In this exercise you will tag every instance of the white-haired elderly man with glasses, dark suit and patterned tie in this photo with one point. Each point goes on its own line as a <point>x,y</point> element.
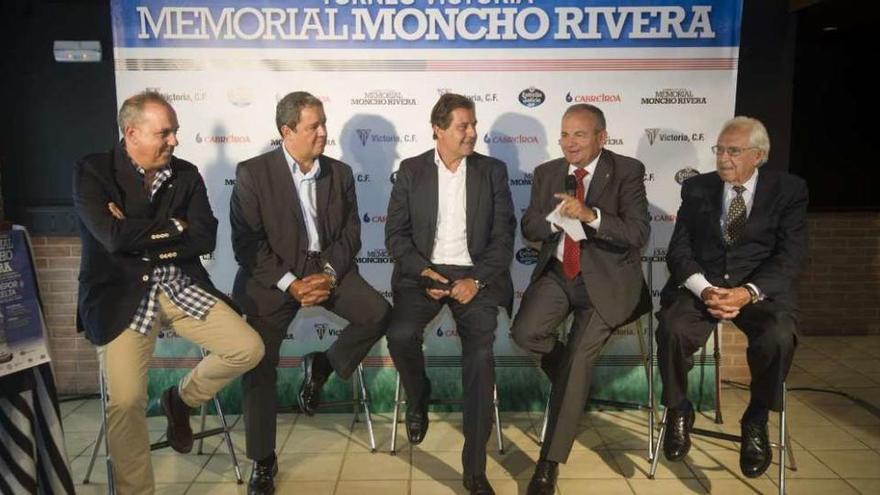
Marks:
<point>738,243</point>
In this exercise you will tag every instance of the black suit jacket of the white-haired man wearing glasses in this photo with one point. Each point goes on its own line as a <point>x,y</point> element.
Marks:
<point>768,253</point>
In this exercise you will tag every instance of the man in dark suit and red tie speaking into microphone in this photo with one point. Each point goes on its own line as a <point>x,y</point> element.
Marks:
<point>598,280</point>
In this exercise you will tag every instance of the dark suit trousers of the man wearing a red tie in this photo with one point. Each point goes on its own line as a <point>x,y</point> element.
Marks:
<point>545,305</point>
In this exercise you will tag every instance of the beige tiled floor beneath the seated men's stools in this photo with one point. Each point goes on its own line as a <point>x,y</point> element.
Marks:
<point>836,444</point>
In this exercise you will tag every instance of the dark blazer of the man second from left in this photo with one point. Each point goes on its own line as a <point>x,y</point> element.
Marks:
<point>269,234</point>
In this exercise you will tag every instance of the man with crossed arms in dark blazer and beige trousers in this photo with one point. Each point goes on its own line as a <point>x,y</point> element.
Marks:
<point>144,220</point>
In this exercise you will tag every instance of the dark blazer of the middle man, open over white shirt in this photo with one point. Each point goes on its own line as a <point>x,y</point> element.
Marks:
<point>412,223</point>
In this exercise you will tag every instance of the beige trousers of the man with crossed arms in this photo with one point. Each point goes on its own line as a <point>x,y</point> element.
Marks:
<point>234,348</point>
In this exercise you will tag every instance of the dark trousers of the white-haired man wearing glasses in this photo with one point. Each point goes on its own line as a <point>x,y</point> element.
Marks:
<point>685,325</point>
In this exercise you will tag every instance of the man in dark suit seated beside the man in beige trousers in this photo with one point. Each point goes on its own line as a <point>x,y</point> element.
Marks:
<point>295,233</point>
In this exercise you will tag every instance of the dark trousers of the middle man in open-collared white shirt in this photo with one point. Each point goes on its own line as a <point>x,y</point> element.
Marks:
<point>475,323</point>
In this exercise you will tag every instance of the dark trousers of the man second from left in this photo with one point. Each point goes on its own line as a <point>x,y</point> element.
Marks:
<point>355,300</point>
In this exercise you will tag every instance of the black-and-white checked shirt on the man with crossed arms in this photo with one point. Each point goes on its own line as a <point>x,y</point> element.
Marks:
<point>189,297</point>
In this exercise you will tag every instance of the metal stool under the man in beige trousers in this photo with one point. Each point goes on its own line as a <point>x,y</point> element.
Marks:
<point>224,430</point>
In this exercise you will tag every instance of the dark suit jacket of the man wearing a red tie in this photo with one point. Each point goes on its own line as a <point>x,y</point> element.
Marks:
<point>610,257</point>
